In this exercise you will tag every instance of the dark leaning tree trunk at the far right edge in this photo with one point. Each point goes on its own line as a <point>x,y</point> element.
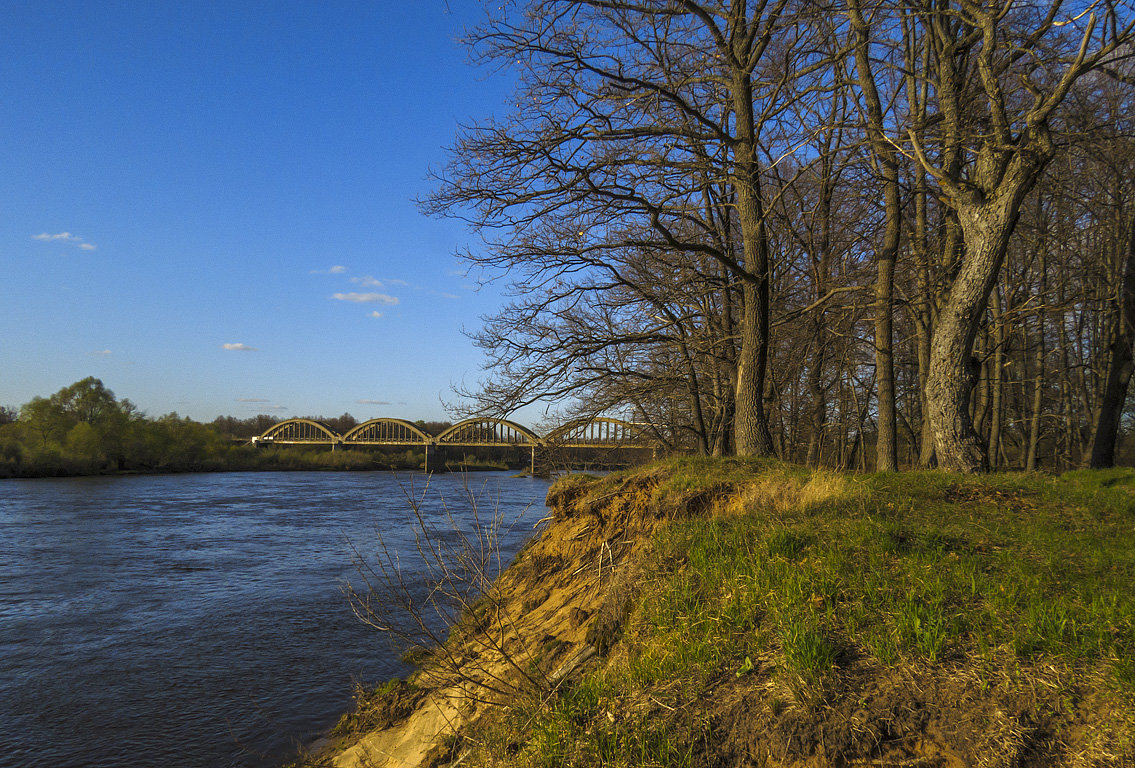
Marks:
<point>1121,366</point>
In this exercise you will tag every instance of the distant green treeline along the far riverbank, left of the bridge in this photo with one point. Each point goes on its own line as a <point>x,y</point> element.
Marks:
<point>85,429</point>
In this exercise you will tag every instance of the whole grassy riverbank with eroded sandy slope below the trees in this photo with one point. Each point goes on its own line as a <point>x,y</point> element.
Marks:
<point>705,613</point>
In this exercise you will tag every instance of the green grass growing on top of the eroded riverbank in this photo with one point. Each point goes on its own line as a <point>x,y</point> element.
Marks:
<point>809,575</point>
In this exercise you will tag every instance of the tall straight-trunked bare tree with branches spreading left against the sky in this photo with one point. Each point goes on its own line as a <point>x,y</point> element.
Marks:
<point>629,117</point>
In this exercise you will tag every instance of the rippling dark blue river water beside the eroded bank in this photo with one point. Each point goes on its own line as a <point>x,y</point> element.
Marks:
<point>200,620</point>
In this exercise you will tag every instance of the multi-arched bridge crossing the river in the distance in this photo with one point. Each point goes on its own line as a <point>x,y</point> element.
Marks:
<point>600,433</point>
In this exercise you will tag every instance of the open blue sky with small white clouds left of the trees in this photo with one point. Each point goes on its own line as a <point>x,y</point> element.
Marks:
<point>209,206</point>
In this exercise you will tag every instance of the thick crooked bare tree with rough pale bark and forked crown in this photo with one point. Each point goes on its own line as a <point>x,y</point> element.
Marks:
<point>999,74</point>
